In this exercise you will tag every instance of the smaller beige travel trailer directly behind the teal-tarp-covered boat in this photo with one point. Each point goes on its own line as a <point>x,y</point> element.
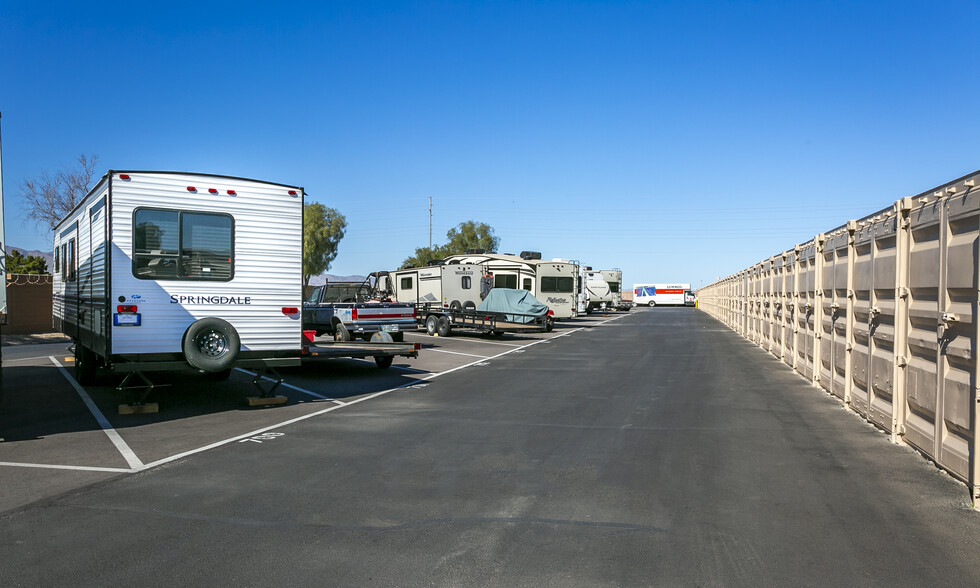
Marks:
<point>444,285</point>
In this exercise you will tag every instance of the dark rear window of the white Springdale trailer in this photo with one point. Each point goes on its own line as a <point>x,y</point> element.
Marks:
<point>182,245</point>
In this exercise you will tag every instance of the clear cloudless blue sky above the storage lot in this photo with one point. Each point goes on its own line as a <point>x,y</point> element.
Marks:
<point>679,141</point>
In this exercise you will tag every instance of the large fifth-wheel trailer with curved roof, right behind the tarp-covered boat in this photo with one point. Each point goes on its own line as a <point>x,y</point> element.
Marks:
<point>551,282</point>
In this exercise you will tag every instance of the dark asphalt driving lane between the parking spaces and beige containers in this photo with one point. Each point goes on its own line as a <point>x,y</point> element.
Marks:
<point>656,449</point>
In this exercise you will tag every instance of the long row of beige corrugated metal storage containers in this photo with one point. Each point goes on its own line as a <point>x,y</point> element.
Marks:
<point>881,312</point>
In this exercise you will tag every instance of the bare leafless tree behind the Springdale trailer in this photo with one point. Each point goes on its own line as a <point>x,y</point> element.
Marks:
<point>50,198</point>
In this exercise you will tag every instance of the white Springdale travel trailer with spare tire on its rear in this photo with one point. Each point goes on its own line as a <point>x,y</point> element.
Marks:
<point>164,270</point>
